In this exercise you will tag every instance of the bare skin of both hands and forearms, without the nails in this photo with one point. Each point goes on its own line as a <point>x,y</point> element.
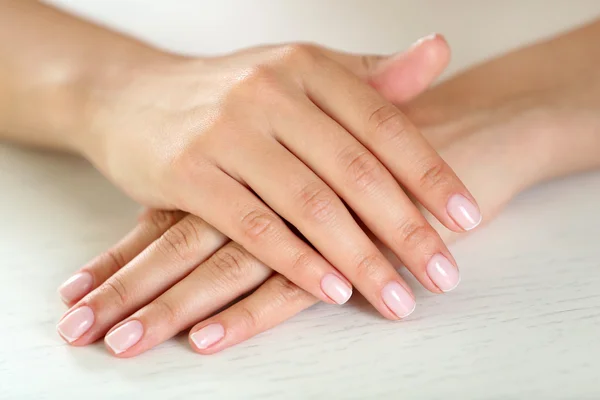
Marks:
<point>86,93</point>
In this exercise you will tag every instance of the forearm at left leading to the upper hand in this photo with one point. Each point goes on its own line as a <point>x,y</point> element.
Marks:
<point>48,62</point>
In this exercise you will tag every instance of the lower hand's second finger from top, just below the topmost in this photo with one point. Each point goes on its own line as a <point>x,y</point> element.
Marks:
<point>166,261</point>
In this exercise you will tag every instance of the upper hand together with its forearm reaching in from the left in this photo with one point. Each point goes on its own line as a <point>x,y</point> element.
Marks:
<point>247,142</point>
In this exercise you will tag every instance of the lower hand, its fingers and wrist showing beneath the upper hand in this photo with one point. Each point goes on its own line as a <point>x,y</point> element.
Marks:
<point>174,270</point>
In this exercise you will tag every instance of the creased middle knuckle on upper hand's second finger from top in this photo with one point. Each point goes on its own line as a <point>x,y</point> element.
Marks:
<point>362,168</point>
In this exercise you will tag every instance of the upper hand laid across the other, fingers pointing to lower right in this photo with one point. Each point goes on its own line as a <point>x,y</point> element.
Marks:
<point>286,133</point>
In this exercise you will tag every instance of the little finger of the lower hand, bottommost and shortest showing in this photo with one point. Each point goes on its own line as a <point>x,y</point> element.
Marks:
<point>275,301</point>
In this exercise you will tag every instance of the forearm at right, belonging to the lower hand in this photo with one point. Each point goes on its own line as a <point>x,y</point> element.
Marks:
<point>546,94</point>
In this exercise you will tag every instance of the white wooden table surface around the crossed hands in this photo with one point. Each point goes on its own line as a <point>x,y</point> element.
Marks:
<point>525,322</point>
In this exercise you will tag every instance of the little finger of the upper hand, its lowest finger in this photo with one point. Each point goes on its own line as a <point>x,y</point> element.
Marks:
<point>249,222</point>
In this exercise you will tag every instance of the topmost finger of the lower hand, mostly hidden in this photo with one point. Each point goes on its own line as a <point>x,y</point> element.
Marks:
<point>151,225</point>
